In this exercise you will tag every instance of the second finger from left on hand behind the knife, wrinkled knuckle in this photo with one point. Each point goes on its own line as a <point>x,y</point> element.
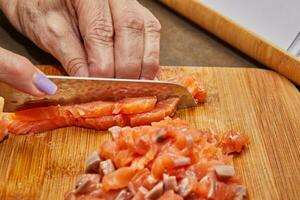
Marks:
<point>96,28</point>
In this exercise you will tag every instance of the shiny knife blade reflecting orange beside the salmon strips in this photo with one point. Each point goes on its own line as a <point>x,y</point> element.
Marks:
<point>73,90</point>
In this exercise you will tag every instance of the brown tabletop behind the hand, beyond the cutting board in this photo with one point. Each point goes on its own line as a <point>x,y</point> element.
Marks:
<point>182,43</point>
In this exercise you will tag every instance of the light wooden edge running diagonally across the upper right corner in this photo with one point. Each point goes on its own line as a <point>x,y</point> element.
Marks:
<point>245,40</point>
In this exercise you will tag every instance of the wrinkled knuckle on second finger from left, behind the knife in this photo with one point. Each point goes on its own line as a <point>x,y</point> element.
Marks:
<point>100,32</point>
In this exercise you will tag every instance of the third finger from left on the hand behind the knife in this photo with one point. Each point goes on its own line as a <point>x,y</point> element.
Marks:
<point>129,38</point>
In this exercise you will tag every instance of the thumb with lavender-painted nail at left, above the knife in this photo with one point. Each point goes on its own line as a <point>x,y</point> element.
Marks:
<point>21,74</point>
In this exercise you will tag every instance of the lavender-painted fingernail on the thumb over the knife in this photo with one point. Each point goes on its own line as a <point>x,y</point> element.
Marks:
<point>44,84</point>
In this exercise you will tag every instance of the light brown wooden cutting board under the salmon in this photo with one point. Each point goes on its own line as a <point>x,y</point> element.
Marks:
<point>260,103</point>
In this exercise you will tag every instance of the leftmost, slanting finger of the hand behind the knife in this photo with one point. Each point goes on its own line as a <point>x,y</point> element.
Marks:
<point>63,43</point>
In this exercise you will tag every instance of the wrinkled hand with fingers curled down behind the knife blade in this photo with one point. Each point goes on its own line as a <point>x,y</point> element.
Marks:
<point>103,38</point>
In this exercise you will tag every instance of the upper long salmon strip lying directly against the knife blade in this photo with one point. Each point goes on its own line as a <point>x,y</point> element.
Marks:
<point>89,110</point>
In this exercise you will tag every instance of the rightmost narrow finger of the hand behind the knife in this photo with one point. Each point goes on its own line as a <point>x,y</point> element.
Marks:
<point>150,64</point>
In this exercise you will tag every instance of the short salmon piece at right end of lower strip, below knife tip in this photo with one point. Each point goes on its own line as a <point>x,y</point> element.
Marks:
<point>163,109</point>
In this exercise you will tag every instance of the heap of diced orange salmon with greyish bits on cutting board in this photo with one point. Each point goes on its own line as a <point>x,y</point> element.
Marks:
<point>167,160</point>
